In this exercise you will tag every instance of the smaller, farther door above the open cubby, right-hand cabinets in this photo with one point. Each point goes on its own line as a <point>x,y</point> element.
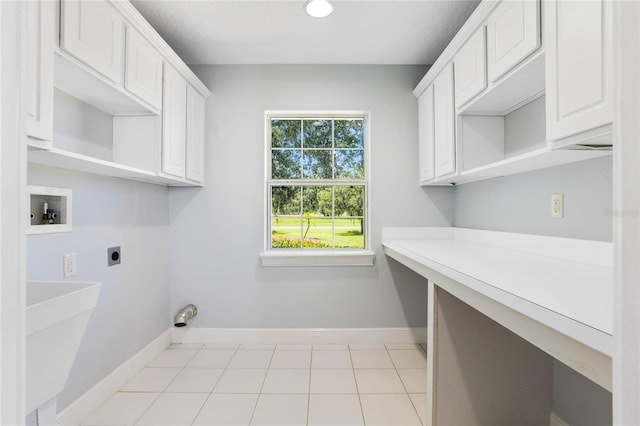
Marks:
<point>470,68</point>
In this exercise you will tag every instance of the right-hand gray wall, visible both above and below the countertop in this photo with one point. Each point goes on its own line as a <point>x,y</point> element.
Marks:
<point>522,203</point>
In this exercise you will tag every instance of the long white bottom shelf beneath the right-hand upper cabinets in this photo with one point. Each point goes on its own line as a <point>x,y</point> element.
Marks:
<point>535,160</point>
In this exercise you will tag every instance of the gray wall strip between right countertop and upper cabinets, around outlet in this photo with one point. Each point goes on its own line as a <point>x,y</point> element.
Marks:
<point>522,203</point>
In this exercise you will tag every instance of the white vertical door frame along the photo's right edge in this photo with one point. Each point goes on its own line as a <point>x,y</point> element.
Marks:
<point>626,204</point>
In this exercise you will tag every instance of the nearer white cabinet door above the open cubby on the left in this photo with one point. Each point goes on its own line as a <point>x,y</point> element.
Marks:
<point>93,32</point>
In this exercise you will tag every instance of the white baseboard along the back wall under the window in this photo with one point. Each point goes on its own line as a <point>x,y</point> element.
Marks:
<point>318,336</point>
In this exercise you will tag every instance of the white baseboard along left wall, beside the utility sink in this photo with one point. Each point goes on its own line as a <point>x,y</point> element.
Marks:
<point>88,402</point>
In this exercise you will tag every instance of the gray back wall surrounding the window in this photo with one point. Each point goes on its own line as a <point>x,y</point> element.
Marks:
<point>217,232</point>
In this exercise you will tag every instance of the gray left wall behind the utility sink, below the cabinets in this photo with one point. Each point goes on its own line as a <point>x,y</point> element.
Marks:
<point>133,306</point>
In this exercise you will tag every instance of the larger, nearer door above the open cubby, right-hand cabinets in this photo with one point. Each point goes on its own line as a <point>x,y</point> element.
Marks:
<point>513,33</point>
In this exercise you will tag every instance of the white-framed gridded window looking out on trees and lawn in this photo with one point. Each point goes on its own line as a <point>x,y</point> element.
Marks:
<point>316,182</point>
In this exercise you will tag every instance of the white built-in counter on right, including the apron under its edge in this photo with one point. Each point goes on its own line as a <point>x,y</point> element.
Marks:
<point>562,286</point>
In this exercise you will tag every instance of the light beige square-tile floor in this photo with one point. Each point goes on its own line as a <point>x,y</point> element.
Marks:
<point>228,385</point>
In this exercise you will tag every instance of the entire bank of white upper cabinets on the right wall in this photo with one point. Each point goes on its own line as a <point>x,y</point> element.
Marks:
<point>492,118</point>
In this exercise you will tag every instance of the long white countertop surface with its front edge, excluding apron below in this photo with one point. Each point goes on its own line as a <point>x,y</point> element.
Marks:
<point>566,284</point>
